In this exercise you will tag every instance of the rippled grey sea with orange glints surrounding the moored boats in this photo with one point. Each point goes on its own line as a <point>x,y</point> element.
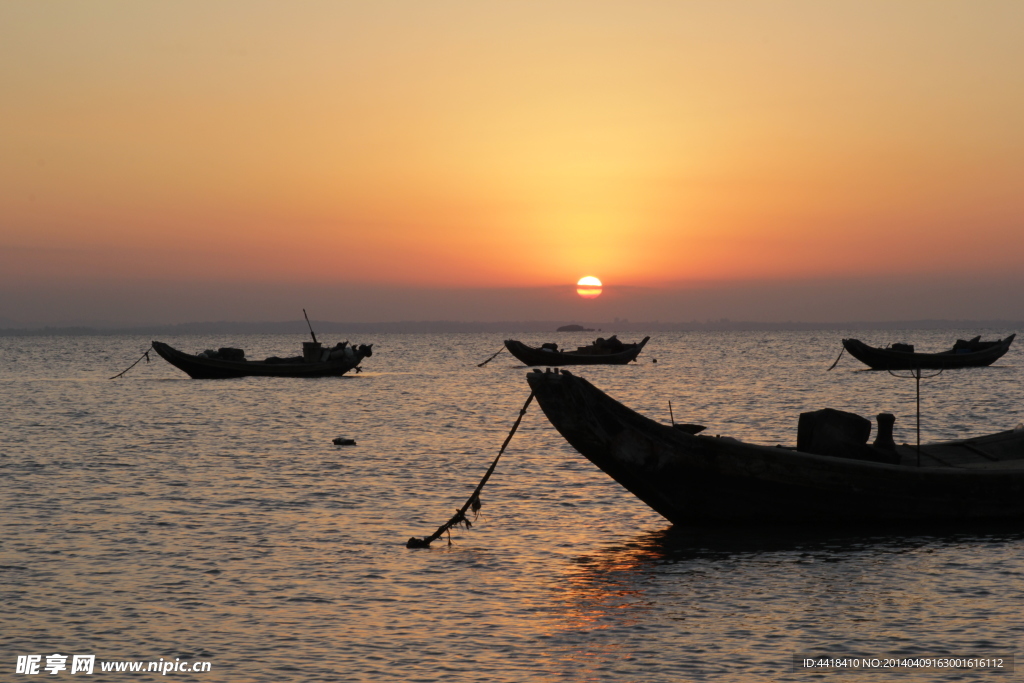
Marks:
<point>157,517</point>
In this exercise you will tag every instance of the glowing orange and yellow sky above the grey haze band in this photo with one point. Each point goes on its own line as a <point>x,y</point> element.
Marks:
<point>514,145</point>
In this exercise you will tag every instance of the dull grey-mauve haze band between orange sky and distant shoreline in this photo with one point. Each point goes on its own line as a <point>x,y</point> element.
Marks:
<point>822,303</point>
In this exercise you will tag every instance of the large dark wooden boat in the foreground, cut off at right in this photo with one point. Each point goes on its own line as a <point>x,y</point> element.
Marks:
<point>689,478</point>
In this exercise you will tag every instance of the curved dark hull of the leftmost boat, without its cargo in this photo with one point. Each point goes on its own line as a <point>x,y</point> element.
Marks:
<point>216,369</point>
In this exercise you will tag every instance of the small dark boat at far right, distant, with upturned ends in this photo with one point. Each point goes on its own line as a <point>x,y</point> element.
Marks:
<point>973,354</point>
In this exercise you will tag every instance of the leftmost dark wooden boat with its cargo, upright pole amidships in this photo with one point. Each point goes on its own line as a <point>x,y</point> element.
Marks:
<point>227,363</point>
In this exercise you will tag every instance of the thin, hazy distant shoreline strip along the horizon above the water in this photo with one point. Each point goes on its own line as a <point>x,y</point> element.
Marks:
<point>550,327</point>
